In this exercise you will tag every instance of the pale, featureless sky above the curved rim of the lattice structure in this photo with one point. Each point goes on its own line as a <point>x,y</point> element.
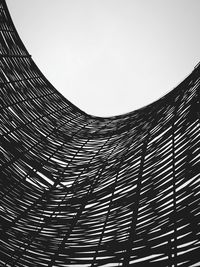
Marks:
<point>111,56</point>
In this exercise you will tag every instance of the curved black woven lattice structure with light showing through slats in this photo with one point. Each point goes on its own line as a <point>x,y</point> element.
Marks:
<point>79,190</point>
